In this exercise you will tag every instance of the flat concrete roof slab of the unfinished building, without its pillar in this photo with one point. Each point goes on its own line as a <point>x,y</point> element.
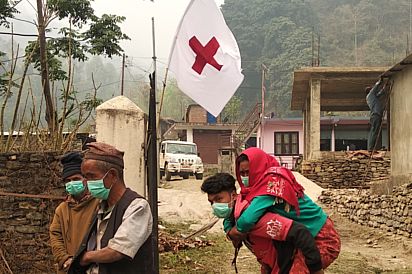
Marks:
<point>342,88</point>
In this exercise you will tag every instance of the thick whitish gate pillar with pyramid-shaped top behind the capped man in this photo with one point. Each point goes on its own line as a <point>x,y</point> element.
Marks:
<point>120,123</point>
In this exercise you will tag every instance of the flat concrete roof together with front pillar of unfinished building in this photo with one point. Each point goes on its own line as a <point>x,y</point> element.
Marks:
<point>317,89</point>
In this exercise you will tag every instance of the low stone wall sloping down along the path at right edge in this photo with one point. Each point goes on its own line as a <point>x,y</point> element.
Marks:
<point>390,213</point>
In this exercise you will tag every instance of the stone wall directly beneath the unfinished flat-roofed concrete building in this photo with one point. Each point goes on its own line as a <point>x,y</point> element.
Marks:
<point>336,170</point>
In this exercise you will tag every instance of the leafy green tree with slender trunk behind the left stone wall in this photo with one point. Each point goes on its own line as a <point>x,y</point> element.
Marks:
<point>101,37</point>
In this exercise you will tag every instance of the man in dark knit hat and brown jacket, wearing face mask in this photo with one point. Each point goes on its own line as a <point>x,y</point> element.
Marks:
<point>72,217</point>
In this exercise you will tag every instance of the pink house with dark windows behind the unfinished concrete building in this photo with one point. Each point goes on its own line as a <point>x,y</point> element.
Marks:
<point>284,138</point>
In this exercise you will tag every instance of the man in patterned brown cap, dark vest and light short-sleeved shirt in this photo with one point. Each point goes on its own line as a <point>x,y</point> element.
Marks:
<point>118,239</point>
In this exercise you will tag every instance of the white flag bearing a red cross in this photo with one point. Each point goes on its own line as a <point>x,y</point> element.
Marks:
<point>205,57</point>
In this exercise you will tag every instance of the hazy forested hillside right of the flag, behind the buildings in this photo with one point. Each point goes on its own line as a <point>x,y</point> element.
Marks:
<point>278,33</point>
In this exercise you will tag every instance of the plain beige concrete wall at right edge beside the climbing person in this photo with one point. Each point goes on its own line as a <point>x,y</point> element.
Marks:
<point>400,118</point>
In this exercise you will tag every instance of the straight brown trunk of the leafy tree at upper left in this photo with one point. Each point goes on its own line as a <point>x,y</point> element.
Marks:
<point>50,116</point>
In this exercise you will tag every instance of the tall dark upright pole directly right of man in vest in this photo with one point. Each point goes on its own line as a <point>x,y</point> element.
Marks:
<point>152,164</point>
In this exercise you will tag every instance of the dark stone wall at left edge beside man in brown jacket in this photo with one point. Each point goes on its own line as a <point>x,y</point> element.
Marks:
<point>24,222</point>
